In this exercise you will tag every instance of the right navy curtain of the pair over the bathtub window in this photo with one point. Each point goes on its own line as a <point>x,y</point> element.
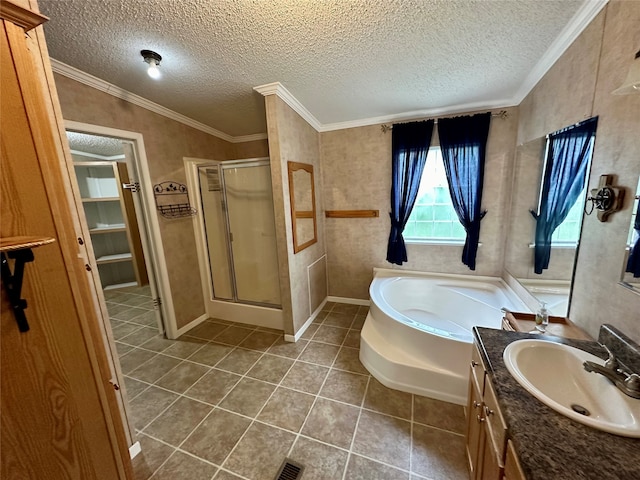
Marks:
<point>463,142</point>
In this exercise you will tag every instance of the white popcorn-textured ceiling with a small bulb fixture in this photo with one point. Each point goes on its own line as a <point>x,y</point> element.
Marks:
<point>344,60</point>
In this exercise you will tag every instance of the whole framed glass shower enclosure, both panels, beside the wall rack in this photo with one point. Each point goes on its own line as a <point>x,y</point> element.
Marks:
<point>239,231</point>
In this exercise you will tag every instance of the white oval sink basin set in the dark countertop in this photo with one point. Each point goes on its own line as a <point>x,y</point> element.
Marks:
<point>553,373</point>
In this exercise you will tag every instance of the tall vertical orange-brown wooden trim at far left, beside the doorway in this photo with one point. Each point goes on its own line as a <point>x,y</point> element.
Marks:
<point>36,81</point>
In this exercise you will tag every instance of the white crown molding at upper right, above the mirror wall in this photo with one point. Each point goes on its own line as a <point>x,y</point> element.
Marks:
<point>583,17</point>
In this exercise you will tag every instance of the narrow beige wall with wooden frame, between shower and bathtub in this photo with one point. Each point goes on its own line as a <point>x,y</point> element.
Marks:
<point>292,139</point>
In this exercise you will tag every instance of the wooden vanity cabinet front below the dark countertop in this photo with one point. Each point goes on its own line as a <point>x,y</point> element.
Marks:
<point>486,429</point>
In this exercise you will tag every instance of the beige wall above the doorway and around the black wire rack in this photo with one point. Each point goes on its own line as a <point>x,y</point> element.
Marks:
<point>166,143</point>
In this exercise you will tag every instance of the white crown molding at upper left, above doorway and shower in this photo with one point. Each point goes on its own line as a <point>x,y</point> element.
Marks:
<point>106,87</point>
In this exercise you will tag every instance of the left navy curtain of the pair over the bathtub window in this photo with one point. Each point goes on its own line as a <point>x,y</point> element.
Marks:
<point>409,147</point>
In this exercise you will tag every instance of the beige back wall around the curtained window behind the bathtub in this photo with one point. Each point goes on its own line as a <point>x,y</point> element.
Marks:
<point>356,170</point>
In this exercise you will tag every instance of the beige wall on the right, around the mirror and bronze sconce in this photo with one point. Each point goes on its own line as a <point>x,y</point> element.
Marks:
<point>578,86</point>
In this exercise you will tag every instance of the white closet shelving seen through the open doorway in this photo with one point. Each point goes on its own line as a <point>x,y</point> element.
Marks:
<point>110,215</point>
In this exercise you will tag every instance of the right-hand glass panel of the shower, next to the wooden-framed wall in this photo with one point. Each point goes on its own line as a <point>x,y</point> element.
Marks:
<point>252,233</point>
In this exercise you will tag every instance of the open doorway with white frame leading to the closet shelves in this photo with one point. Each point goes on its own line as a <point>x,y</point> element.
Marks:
<point>110,169</point>
